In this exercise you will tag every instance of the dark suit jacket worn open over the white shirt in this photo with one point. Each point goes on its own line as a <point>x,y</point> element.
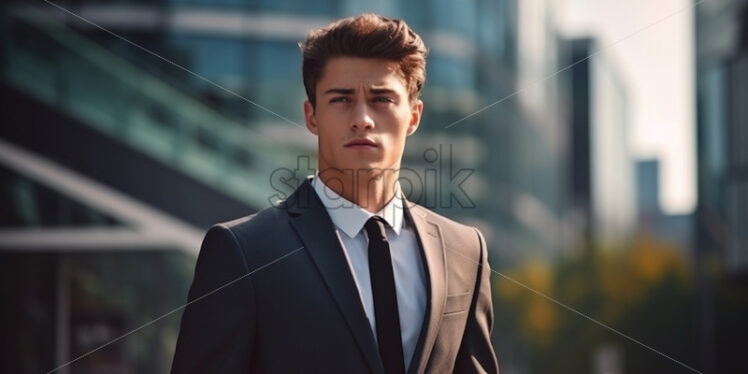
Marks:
<point>273,293</point>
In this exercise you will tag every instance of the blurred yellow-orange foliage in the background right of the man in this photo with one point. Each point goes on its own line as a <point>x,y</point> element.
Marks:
<point>623,276</point>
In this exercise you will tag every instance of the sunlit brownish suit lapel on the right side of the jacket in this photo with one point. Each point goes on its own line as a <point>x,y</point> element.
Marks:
<point>432,250</point>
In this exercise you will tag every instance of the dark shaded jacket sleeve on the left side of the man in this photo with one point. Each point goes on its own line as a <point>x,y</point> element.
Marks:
<point>217,328</point>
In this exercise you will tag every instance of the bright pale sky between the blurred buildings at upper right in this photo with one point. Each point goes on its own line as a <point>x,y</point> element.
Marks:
<point>657,65</point>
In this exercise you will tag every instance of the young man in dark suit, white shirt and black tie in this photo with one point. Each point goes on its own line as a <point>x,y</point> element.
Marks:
<point>346,275</point>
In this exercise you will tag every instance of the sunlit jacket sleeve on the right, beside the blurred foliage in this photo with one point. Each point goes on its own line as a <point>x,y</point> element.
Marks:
<point>476,354</point>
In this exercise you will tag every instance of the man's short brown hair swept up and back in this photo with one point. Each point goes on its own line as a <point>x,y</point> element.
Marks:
<point>367,35</point>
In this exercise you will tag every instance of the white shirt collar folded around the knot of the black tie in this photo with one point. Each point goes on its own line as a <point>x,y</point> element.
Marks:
<point>349,217</point>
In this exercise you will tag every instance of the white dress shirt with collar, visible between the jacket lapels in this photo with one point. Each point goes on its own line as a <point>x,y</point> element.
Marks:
<point>410,279</point>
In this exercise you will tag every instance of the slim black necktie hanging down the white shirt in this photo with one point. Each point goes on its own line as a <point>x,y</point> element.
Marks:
<point>385,298</point>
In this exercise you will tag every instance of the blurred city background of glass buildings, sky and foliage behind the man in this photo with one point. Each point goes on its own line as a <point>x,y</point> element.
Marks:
<point>606,142</point>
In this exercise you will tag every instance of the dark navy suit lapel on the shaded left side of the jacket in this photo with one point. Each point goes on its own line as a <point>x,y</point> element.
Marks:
<point>316,230</point>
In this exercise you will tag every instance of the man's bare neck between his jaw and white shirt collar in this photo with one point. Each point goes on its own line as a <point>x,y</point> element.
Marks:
<point>371,190</point>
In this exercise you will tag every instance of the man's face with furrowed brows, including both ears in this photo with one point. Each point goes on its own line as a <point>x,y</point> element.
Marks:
<point>360,101</point>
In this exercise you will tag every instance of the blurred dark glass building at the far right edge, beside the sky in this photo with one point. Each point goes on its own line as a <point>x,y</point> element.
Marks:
<point>723,130</point>
